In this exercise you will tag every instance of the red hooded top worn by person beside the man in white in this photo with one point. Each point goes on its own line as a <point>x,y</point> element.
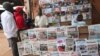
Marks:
<point>19,18</point>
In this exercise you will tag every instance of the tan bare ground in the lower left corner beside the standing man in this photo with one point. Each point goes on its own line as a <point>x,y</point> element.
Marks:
<point>4,47</point>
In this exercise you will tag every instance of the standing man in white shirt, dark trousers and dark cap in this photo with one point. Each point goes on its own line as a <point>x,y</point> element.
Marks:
<point>9,27</point>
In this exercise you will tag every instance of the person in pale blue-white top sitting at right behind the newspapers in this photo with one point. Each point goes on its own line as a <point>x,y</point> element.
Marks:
<point>78,20</point>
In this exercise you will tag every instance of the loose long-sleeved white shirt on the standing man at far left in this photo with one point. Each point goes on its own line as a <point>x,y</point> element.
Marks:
<point>9,25</point>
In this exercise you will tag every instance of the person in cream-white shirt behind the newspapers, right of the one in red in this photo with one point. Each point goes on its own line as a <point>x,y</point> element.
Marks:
<point>41,20</point>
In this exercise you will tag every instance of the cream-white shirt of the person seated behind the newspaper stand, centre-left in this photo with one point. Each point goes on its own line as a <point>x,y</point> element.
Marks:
<point>41,21</point>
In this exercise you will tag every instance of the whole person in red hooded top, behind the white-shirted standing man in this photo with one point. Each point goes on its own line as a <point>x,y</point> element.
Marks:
<point>20,21</point>
